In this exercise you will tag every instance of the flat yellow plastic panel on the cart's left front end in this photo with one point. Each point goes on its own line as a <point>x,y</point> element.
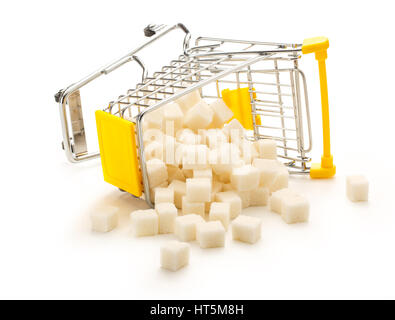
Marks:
<point>118,152</point>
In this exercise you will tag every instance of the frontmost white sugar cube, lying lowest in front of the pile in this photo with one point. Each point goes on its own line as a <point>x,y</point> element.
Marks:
<point>174,255</point>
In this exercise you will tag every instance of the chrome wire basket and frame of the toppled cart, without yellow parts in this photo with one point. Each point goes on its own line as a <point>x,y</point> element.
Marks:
<point>210,61</point>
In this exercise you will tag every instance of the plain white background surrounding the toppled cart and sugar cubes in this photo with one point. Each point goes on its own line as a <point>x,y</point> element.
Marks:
<point>46,247</point>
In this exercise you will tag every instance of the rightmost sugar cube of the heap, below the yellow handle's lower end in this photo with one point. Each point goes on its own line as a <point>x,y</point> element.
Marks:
<point>295,209</point>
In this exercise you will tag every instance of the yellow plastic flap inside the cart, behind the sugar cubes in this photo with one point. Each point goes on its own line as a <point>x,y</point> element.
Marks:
<point>239,102</point>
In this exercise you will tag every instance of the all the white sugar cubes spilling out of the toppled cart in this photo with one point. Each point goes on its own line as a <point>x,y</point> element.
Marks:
<point>202,171</point>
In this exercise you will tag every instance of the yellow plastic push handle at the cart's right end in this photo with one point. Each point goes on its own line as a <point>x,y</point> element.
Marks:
<point>319,46</point>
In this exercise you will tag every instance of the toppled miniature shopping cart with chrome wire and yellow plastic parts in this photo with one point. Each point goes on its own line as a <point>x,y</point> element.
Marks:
<point>269,86</point>
